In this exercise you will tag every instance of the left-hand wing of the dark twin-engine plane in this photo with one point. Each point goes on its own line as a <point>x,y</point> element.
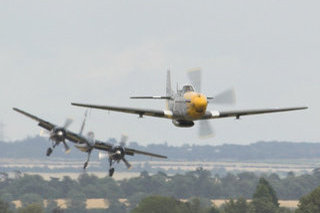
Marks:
<point>71,136</point>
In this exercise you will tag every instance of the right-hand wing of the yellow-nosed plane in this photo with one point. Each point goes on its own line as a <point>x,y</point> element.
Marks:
<point>239,113</point>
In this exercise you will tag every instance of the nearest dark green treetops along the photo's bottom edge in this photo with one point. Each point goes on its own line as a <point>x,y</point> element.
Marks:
<point>264,200</point>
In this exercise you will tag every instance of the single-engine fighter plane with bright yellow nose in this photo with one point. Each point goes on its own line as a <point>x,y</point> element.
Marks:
<point>188,105</point>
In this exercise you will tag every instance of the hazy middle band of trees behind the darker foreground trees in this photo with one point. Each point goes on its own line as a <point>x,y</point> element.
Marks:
<point>199,183</point>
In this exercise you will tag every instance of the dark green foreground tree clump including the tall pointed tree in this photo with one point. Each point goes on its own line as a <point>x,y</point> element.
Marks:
<point>264,200</point>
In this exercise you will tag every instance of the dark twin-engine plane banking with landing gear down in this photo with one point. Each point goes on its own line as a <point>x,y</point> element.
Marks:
<point>57,135</point>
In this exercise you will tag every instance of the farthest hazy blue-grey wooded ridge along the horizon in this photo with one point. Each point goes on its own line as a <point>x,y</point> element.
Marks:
<point>35,147</point>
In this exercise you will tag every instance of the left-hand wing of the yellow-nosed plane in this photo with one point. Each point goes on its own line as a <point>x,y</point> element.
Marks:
<point>140,112</point>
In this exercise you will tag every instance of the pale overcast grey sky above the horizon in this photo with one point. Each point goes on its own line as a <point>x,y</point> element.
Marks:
<point>56,52</point>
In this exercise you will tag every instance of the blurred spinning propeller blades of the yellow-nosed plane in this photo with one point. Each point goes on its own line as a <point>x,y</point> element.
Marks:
<point>226,97</point>
